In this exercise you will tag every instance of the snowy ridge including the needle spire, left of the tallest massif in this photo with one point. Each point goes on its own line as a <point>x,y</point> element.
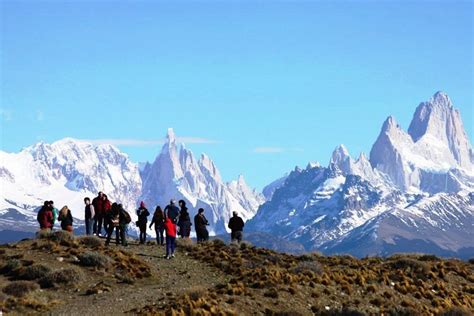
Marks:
<point>68,170</point>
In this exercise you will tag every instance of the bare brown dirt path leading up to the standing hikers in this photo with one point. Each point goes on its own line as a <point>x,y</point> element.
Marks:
<point>170,278</point>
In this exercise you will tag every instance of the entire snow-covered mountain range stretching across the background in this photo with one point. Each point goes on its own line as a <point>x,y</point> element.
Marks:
<point>414,192</point>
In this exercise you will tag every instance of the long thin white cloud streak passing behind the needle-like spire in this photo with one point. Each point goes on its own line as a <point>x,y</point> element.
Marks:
<point>147,142</point>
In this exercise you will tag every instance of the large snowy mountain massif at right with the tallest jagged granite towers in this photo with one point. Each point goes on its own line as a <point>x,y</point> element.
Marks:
<point>414,190</point>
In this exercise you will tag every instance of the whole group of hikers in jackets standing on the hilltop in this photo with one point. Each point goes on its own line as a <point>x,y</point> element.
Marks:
<point>169,223</point>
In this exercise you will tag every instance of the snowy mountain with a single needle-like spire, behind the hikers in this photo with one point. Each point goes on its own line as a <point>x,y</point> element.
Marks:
<point>177,174</point>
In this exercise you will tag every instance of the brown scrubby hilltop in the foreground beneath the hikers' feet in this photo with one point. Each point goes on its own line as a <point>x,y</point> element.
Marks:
<point>59,274</point>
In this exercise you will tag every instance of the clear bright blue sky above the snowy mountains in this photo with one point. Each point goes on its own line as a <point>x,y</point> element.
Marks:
<point>259,86</point>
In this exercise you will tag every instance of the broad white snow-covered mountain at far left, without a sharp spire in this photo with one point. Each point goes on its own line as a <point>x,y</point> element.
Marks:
<point>65,172</point>
